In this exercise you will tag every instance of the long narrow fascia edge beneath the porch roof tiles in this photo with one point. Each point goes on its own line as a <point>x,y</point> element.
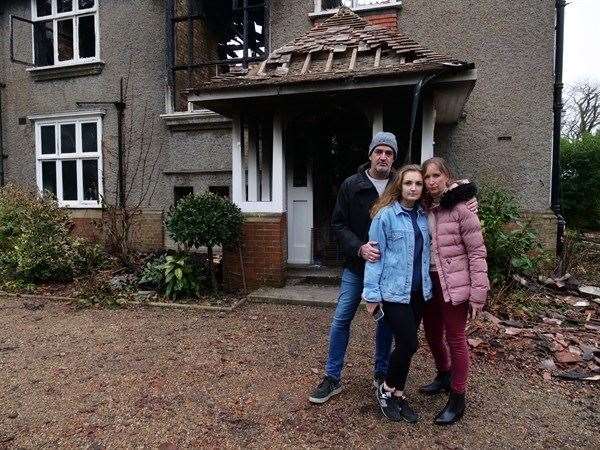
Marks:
<point>324,86</point>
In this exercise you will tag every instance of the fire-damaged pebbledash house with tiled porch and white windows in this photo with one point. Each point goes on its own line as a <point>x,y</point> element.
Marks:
<point>271,103</point>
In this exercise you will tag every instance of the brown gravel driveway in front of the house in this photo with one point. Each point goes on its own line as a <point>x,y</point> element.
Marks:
<point>169,378</point>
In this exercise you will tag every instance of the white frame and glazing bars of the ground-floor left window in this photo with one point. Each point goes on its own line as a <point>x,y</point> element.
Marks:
<point>79,156</point>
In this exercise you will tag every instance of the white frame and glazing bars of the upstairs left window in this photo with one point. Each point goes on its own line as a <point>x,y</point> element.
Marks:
<point>55,17</point>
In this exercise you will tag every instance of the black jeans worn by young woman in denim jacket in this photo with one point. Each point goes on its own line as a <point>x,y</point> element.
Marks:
<point>403,320</point>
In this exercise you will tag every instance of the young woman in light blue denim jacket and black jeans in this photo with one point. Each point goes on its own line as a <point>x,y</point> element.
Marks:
<point>399,282</point>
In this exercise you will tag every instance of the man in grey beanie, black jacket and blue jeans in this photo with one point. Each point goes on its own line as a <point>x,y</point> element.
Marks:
<point>351,222</point>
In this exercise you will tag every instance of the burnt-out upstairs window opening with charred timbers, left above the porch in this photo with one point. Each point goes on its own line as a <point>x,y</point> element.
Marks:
<point>214,37</point>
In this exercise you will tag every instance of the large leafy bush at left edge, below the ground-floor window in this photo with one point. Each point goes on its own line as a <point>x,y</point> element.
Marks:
<point>35,240</point>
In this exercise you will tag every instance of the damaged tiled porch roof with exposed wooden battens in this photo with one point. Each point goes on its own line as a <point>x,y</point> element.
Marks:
<point>343,46</point>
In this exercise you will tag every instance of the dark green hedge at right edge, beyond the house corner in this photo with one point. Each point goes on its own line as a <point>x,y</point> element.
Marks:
<point>580,178</point>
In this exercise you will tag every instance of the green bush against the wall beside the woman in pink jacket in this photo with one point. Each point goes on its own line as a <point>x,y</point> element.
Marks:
<point>512,246</point>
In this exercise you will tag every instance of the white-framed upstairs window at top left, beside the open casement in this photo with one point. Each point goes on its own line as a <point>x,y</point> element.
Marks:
<point>65,32</point>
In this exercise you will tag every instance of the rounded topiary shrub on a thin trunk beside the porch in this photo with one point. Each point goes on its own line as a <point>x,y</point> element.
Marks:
<point>205,220</point>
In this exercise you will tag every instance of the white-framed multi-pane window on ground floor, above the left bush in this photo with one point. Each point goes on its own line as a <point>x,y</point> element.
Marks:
<point>69,160</point>
